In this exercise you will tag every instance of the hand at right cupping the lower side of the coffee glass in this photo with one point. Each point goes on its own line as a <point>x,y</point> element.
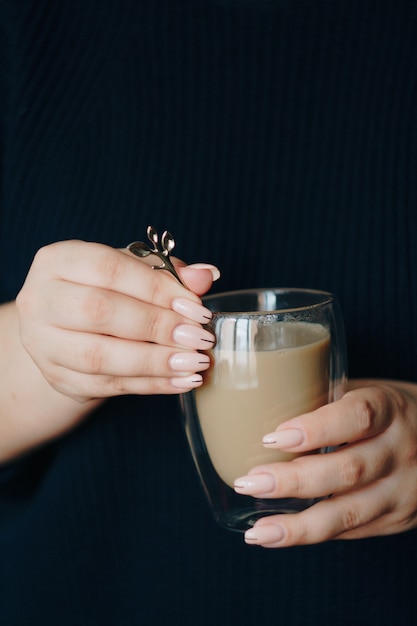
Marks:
<point>372,479</point>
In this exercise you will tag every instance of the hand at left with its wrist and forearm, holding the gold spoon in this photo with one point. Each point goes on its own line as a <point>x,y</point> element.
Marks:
<point>92,322</point>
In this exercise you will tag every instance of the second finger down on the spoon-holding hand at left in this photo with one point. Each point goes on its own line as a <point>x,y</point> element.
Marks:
<point>92,310</point>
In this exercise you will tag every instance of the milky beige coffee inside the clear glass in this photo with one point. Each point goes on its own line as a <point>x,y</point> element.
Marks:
<point>246,394</point>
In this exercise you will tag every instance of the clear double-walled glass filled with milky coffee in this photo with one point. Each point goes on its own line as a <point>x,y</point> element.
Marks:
<point>278,353</point>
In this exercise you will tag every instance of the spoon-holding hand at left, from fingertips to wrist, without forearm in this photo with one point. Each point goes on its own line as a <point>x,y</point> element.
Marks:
<point>99,322</point>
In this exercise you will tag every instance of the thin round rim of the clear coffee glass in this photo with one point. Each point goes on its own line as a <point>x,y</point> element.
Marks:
<point>328,298</point>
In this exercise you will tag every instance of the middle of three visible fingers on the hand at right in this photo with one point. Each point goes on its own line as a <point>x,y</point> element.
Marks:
<point>319,475</point>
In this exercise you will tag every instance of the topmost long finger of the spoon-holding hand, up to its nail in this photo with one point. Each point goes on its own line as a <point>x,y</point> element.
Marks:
<point>100,265</point>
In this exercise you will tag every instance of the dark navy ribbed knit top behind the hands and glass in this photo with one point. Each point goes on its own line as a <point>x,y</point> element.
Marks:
<point>274,138</point>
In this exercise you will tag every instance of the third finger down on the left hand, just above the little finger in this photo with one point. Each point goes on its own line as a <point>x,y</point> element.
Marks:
<point>104,355</point>
